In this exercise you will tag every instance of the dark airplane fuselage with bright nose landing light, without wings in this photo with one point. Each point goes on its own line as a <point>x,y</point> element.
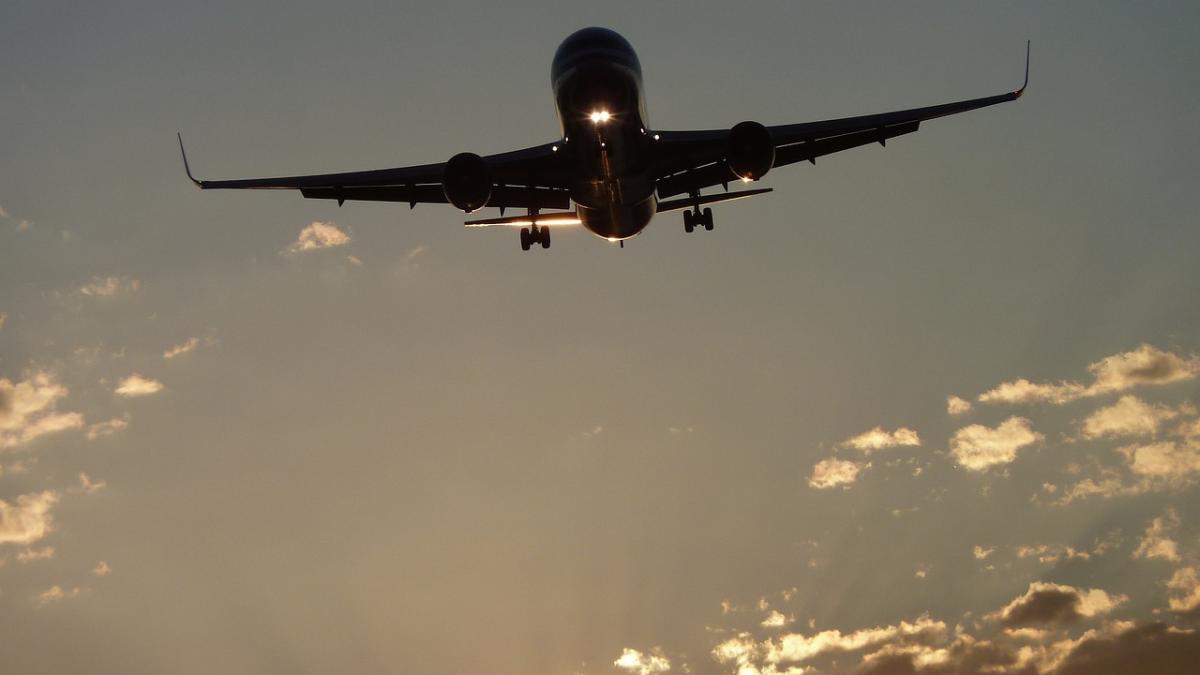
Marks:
<point>597,82</point>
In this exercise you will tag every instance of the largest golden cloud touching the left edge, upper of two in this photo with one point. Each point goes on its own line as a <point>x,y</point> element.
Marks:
<point>29,410</point>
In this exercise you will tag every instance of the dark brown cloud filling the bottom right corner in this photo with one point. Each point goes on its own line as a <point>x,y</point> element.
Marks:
<point>1153,649</point>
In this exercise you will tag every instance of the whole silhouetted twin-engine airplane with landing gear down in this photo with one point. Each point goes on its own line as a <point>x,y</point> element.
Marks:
<point>616,170</point>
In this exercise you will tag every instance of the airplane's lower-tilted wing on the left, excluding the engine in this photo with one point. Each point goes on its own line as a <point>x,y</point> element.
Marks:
<point>529,178</point>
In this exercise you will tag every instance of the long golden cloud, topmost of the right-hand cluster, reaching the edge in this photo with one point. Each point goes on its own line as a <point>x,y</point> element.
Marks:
<point>1118,373</point>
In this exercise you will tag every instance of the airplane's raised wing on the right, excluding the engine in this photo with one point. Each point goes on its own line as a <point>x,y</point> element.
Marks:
<point>692,160</point>
